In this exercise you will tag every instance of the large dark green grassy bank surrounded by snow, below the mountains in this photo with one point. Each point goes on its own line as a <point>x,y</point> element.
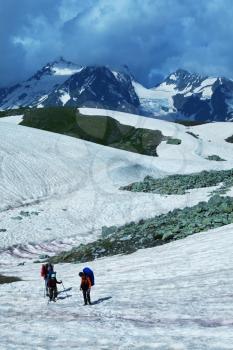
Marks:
<point>99,129</point>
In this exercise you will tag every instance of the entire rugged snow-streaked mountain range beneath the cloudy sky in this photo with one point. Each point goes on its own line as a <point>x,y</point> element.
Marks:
<point>181,95</point>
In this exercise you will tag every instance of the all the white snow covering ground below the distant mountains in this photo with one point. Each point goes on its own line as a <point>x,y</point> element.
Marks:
<point>57,191</point>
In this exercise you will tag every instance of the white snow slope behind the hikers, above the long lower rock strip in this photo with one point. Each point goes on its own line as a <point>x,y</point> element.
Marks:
<point>57,191</point>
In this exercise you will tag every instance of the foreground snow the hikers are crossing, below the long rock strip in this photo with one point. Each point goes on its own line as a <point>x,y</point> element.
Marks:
<point>173,297</point>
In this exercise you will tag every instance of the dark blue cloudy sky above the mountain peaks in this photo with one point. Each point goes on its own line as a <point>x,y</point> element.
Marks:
<point>153,37</point>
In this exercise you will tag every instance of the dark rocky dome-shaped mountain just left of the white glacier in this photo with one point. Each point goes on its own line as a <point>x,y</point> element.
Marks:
<point>93,87</point>
